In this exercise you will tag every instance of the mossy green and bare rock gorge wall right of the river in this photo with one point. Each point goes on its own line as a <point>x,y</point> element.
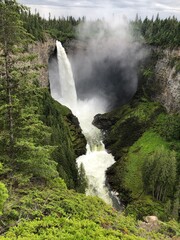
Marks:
<point>137,129</point>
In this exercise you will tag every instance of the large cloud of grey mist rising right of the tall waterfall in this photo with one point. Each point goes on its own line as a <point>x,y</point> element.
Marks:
<point>106,61</point>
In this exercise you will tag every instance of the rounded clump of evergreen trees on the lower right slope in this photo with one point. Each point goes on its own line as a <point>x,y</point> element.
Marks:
<point>159,173</point>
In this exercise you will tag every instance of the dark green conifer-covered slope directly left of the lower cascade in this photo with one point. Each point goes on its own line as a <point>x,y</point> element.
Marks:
<point>66,136</point>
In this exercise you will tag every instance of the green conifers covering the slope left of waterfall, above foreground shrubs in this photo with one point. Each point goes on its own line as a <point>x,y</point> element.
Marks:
<point>37,139</point>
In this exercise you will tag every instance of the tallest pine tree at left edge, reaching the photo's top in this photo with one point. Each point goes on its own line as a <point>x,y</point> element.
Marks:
<point>12,37</point>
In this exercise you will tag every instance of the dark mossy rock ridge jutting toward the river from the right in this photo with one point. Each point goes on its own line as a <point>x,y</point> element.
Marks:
<point>129,123</point>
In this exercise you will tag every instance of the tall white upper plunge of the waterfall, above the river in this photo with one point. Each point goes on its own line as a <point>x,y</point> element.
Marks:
<point>68,95</point>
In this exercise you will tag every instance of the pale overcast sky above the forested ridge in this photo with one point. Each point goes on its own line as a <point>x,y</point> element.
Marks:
<point>105,8</point>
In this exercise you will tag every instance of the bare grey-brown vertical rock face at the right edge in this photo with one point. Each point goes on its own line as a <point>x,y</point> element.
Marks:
<point>167,78</point>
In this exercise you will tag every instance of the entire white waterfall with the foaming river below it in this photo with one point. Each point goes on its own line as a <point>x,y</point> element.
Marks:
<point>96,160</point>
